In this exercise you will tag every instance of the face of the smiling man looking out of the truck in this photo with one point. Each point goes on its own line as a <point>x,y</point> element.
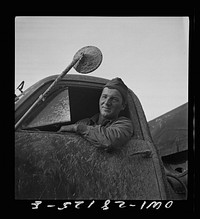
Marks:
<point>110,103</point>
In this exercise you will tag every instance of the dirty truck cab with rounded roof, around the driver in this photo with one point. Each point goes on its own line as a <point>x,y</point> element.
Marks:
<point>55,165</point>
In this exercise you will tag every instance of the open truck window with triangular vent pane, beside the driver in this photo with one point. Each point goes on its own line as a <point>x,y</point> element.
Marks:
<point>65,106</point>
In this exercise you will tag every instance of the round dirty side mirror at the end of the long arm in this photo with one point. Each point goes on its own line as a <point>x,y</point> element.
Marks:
<point>92,58</point>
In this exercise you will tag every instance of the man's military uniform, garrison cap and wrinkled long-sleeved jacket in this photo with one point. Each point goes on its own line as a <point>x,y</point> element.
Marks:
<point>109,133</point>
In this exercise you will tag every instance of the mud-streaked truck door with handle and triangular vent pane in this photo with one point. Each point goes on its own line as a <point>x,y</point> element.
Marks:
<point>51,165</point>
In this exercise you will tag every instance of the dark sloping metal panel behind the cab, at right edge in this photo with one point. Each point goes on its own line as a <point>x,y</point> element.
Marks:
<point>170,131</point>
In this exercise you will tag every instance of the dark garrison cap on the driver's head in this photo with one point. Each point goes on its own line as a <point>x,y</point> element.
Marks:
<point>117,83</point>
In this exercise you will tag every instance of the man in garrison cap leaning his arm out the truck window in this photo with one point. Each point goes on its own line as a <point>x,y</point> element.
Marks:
<point>106,129</point>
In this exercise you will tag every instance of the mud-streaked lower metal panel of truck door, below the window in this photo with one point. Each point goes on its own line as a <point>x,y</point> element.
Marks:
<point>65,166</point>
